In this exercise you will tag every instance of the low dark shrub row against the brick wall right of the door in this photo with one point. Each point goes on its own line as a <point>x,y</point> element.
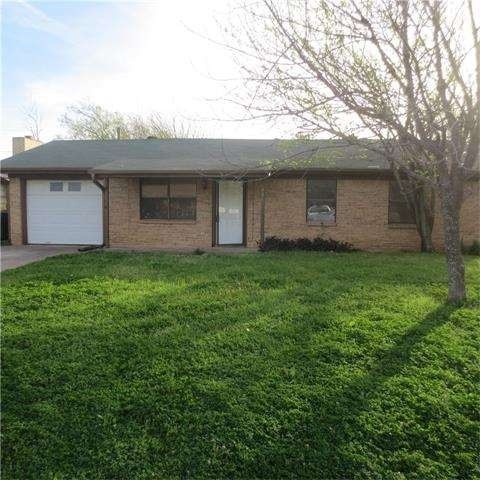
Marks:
<point>317,244</point>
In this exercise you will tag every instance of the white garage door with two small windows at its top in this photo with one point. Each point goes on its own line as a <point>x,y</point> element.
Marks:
<point>64,212</point>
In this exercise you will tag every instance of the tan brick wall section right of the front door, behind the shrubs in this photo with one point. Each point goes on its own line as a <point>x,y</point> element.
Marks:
<point>361,218</point>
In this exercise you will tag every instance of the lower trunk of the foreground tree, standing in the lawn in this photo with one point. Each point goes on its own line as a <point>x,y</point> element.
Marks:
<point>453,248</point>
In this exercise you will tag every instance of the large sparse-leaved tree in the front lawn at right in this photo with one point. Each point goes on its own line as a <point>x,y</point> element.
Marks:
<point>405,73</point>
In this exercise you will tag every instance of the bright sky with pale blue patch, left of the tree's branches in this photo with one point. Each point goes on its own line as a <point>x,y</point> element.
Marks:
<point>134,57</point>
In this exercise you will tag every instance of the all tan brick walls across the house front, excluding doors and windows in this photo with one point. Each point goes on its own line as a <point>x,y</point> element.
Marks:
<point>362,216</point>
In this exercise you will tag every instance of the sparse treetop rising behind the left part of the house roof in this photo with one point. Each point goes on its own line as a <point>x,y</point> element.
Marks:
<point>87,121</point>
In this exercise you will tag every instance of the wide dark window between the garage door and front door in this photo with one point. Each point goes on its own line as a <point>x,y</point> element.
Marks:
<point>168,199</point>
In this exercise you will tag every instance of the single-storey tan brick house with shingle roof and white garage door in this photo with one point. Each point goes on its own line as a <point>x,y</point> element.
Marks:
<point>203,193</point>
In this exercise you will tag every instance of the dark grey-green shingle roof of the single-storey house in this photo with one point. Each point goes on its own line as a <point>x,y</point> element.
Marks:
<point>193,155</point>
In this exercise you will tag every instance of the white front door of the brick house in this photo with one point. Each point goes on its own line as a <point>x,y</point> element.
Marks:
<point>230,212</point>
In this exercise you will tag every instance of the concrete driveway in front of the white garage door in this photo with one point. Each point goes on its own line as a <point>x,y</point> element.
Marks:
<point>16,256</point>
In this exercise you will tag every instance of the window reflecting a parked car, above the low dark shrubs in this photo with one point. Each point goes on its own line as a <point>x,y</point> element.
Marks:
<point>321,200</point>
